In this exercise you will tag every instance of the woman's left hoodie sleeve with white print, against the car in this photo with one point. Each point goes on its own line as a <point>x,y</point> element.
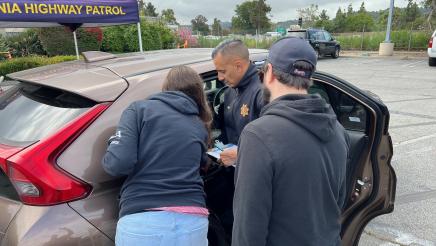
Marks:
<point>122,153</point>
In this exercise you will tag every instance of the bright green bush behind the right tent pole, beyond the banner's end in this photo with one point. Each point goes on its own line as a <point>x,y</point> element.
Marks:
<point>155,36</point>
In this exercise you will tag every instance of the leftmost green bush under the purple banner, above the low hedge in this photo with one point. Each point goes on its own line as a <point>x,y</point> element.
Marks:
<point>24,44</point>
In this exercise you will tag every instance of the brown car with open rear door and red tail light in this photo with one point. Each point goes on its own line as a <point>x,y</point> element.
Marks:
<point>55,122</point>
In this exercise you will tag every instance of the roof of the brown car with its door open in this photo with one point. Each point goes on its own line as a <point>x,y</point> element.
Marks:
<point>105,80</point>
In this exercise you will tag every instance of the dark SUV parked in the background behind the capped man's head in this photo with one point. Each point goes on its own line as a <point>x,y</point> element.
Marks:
<point>322,41</point>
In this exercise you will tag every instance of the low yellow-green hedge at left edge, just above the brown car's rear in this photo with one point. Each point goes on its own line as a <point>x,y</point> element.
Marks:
<point>23,63</point>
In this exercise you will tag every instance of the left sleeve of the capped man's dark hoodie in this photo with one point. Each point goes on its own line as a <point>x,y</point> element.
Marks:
<point>253,192</point>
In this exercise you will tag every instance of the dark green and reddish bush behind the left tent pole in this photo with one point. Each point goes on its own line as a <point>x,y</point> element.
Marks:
<point>60,41</point>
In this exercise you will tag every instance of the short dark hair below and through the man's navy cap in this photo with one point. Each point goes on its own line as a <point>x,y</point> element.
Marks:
<point>292,80</point>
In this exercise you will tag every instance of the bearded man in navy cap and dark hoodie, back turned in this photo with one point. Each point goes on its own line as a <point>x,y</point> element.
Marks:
<point>290,172</point>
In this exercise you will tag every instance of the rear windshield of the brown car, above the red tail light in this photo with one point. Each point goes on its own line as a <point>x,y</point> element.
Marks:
<point>30,112</point>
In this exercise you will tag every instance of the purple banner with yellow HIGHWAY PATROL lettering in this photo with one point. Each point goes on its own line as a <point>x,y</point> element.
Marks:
<point>69,11</point>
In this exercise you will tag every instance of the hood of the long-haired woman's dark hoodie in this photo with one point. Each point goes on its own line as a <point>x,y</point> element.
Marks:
<point>177,100</point>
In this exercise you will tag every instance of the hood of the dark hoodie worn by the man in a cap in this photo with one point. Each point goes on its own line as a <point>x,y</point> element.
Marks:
<point>310,112</point>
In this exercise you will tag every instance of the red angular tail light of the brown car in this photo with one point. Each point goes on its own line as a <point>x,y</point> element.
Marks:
<point>34,173</point>
